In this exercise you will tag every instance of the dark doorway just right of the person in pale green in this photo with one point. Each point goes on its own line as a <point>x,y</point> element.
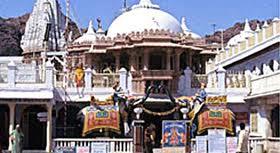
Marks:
<point>34,130</point>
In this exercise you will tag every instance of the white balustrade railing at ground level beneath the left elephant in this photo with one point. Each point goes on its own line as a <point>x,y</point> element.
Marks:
<point>114,145</point>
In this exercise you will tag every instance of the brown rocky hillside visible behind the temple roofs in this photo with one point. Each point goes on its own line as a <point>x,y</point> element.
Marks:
<point>12,29</point>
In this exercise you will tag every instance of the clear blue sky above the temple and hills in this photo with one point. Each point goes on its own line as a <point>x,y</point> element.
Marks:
<point>200,14</point>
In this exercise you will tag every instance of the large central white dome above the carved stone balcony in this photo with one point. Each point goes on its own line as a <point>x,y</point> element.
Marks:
<point>144,15</point>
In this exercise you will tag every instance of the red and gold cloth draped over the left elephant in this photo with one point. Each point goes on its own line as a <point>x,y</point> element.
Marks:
<point>107,117</point>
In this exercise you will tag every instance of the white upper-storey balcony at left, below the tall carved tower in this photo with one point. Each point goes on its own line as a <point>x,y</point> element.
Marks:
<point>26,81</point>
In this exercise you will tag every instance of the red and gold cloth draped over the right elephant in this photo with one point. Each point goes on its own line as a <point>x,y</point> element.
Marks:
<point>215,119</point>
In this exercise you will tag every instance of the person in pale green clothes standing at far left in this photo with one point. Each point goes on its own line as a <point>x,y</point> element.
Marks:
<point>17,140</point>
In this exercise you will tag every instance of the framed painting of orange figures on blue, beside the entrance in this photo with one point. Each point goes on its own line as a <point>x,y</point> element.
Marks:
<point>174,133</point>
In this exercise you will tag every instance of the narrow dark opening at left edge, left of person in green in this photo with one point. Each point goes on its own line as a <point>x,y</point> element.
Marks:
<point>4,126</point>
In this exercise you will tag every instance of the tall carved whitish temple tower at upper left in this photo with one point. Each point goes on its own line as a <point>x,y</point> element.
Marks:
<point>44,28</point>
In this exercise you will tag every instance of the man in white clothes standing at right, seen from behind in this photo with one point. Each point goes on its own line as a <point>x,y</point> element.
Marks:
<point>243,137</point>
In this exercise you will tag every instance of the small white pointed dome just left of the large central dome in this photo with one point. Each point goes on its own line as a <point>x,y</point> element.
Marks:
<point>89,36</point>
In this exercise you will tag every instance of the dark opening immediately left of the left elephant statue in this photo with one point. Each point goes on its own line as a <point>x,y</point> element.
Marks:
<point>72,128</point>
